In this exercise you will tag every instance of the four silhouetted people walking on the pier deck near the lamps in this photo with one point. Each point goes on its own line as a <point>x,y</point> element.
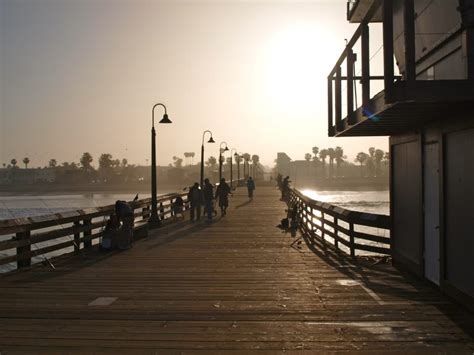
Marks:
<point>198,197</point>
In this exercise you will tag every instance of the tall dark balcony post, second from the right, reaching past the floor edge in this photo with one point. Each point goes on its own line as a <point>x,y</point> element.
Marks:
<point>388,47</point>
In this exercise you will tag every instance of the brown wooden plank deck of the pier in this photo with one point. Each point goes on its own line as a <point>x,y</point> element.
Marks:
<point>234,285</point>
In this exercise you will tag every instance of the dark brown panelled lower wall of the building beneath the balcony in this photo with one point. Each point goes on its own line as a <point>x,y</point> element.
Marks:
<point>455,138</point>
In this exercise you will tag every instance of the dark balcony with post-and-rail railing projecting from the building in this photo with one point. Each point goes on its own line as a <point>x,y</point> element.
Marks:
<point>346,112</point>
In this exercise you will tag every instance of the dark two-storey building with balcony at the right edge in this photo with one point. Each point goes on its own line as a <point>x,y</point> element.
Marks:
<point>428,113</point>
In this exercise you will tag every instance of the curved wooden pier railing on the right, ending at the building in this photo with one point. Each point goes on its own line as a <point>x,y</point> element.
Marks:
<point>352,232</point>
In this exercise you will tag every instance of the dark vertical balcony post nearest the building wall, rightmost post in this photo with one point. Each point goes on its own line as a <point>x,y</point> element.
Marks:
<point>409,27</point>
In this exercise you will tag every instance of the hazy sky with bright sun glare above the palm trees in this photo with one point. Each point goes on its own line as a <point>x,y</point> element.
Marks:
<point>82,75</point>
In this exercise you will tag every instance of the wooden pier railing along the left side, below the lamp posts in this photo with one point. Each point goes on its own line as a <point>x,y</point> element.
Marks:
<point>34,239</point>
